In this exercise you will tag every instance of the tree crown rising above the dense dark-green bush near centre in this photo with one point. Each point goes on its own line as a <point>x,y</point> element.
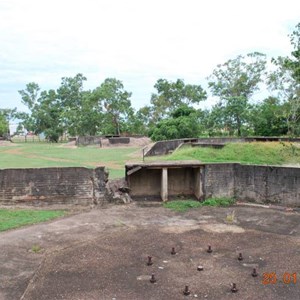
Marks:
<point>171,95</point>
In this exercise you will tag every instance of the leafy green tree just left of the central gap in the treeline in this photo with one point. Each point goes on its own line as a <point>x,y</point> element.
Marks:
<point>116,104</point>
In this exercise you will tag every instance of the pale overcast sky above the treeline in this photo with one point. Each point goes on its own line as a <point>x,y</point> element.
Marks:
<point>135,41</point>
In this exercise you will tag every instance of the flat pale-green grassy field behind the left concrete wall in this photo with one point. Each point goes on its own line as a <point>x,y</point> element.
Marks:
<point>35,155</point>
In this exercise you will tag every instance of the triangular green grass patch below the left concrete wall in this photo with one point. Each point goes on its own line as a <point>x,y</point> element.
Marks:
<point>10,219</point>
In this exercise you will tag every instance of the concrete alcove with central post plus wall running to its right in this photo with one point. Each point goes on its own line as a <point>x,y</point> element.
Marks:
<point>171,179</point>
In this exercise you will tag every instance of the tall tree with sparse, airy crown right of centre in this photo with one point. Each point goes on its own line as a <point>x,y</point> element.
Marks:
<point>234,83</point>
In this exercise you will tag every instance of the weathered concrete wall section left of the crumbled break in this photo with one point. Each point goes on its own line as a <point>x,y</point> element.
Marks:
<point>45,186</point>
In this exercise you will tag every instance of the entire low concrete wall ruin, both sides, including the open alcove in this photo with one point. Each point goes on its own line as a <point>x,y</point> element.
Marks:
<point>156,180</point>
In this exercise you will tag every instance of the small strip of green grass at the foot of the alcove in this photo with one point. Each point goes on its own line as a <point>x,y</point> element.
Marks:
<point>184,205</point>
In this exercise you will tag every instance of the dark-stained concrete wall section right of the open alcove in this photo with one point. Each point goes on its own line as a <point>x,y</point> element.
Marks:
<point>259,184</point>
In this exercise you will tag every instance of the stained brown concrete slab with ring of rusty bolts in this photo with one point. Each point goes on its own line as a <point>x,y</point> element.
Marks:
<point>101,254</point>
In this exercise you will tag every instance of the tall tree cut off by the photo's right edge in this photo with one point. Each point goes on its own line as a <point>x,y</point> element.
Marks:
<point>286,81</point>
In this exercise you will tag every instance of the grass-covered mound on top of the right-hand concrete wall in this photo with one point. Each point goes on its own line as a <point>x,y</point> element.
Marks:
<point>270,153</point>
